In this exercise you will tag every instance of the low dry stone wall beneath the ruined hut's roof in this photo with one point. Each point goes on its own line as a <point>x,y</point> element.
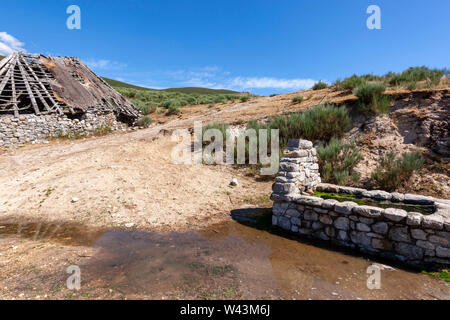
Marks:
<point>31,128</point>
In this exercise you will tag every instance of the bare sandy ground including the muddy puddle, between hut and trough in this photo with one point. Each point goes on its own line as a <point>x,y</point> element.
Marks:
<point>144,227</point>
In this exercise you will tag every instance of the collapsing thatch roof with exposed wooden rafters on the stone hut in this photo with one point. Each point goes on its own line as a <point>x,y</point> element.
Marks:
<point>65,85</point>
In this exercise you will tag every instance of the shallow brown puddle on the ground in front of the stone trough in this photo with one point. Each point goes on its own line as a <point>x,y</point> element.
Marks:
<point>227,261</point>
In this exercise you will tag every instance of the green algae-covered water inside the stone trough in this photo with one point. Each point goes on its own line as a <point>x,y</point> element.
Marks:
<point>341,197</point>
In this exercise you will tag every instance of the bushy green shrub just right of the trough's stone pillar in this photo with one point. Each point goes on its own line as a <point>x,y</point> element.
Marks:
<point>337,160</point>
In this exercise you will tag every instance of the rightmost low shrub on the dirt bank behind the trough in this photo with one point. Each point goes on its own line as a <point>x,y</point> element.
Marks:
<point>391,172</point>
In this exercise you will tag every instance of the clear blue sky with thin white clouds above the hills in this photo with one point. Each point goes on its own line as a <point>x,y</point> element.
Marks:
<point>248,45</point>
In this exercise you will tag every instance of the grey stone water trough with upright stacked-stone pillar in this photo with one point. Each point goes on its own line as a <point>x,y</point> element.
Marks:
<point>410,237</point>
